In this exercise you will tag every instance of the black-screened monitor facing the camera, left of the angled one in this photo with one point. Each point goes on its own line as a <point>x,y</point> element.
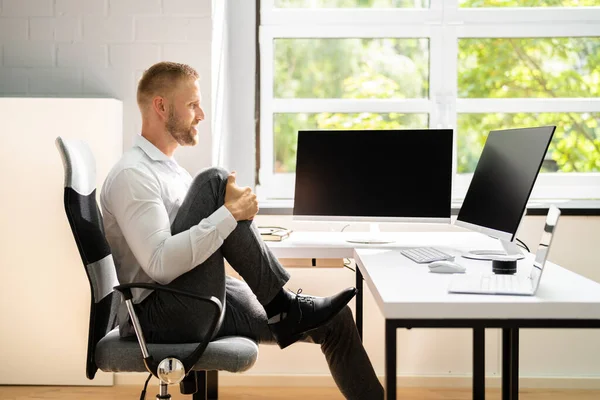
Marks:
<point>374,176</point>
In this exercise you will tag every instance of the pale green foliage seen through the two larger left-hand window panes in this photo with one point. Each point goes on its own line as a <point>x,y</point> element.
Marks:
<point>346,69</point>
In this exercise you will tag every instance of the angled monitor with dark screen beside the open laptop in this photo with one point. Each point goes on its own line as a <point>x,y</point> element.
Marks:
<point>497,197</point>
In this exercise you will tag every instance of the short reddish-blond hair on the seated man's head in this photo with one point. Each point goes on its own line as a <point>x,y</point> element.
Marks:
<point>159,80</point>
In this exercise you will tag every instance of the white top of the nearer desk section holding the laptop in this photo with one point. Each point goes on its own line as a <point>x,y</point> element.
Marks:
<point>405,289</point>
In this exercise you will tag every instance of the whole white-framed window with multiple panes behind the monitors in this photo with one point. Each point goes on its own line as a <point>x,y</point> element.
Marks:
<point>471,65</point>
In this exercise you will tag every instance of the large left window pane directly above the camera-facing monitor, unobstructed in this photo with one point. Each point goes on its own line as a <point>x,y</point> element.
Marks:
<point>351,68</point>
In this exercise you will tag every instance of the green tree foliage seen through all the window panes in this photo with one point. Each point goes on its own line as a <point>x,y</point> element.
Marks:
<point>550,68</point>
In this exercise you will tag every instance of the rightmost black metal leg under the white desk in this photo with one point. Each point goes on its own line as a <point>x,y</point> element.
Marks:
<point>510,364</point>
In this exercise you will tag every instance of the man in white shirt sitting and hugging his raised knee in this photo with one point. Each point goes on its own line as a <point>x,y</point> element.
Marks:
<point>165,227</point>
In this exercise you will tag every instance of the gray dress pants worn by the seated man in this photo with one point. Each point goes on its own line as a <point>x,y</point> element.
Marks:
<point>171,318</point>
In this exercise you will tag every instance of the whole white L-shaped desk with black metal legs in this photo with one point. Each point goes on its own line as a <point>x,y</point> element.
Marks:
<point>409,296</point>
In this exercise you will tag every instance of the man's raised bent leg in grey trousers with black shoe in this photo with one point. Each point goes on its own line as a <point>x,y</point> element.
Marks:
<point>248,254</point>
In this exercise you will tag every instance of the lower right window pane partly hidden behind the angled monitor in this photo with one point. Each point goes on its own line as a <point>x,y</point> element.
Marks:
<point>575,146</point>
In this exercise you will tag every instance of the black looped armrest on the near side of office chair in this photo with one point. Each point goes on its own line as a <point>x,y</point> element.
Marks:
<point>192,359</point>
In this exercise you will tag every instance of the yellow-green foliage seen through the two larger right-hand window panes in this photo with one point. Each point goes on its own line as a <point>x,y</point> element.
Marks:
<point>532,68</point>
